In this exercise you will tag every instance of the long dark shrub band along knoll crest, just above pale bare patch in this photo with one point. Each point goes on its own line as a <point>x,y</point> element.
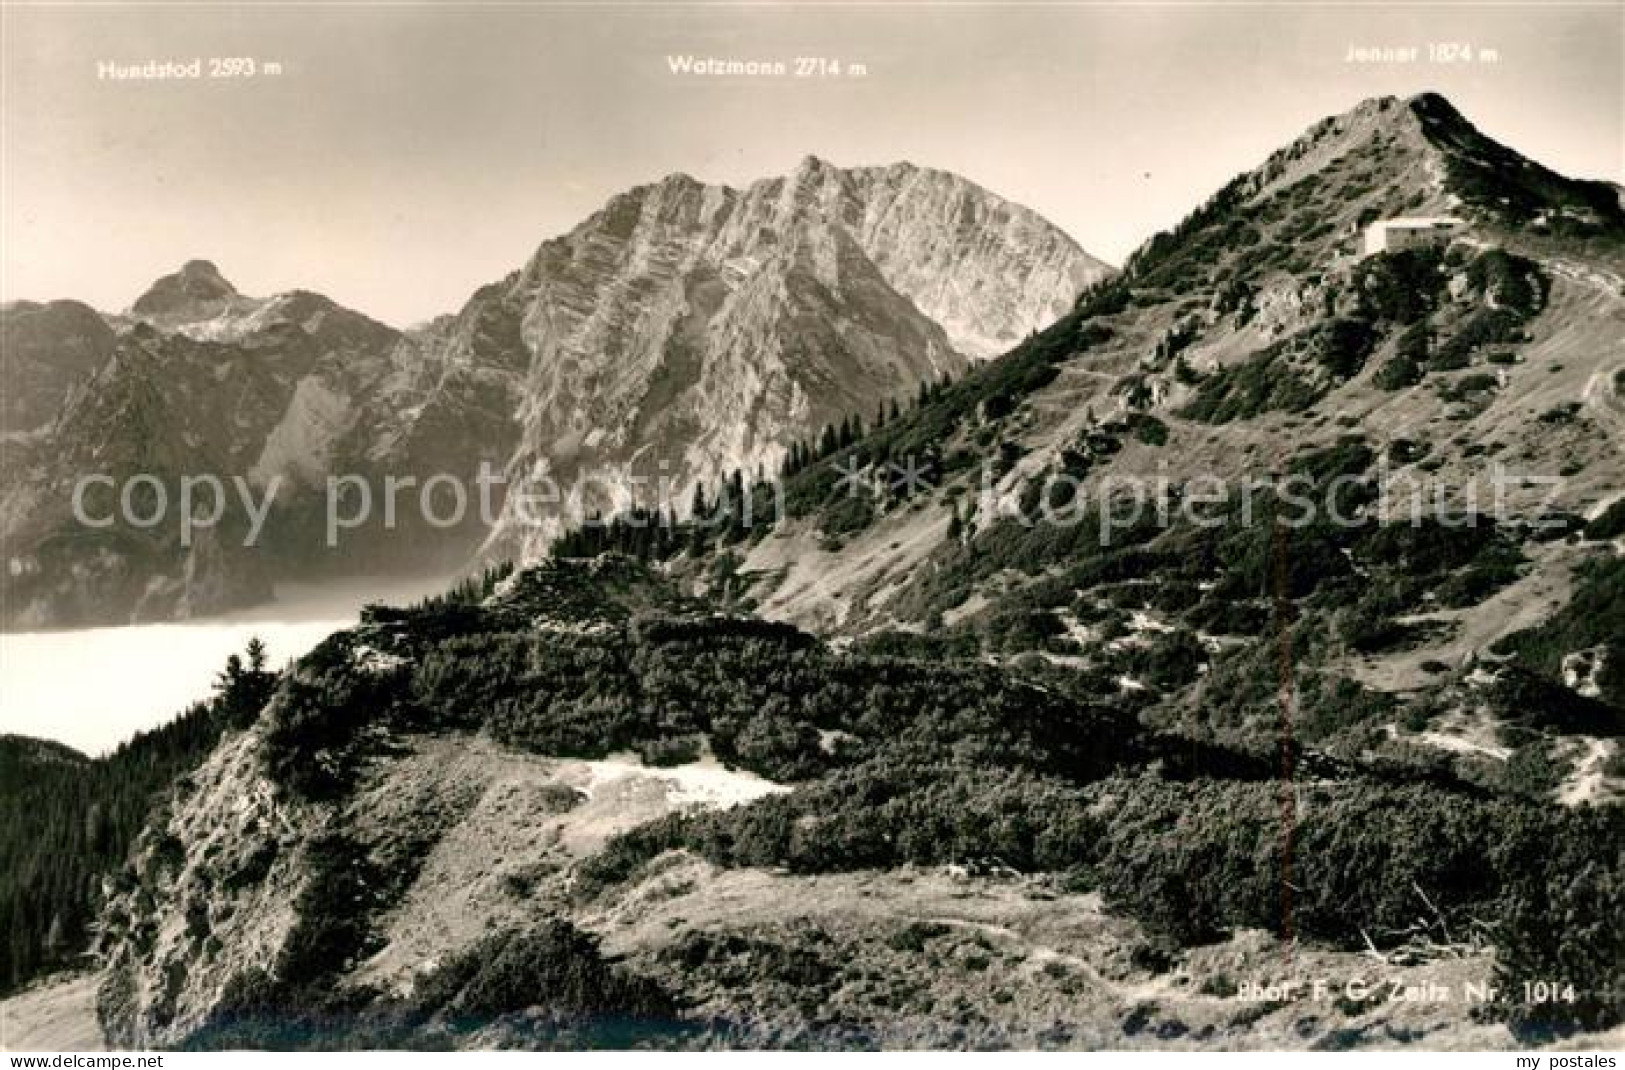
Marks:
<point>761,695</point>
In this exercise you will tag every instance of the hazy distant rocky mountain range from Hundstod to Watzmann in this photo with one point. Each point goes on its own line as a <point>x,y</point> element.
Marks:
<point>696,326</point>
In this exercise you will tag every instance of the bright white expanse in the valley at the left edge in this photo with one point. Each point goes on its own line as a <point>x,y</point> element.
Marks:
<point>98,687</point>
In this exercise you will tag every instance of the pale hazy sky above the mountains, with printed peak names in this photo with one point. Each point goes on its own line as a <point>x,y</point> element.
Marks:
<point>402,155</point>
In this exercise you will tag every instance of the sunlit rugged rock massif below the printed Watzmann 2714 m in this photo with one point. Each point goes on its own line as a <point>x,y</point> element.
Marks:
<point>691,331</point>
